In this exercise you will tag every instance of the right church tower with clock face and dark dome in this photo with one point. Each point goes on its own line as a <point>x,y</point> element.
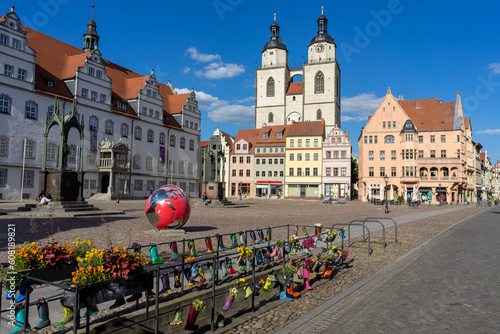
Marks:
<point>322,78</point>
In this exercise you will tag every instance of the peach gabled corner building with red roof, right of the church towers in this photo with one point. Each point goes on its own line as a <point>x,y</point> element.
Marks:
<point>420,145</point>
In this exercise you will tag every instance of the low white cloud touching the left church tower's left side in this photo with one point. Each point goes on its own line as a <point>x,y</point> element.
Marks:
<point>223,110</point>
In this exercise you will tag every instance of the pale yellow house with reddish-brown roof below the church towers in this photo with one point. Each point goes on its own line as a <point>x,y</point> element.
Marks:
<point>304,160</point>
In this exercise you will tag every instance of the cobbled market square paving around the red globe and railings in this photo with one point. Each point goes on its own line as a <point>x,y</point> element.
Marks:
<point>133,227</point>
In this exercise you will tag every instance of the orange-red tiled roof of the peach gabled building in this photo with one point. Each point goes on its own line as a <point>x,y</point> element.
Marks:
<point>432,115</point>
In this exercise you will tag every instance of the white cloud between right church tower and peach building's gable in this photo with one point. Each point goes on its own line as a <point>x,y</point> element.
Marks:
<point>359,107</point>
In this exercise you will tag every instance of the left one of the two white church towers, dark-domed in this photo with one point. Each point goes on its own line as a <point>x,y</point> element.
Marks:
<point>271,81</point>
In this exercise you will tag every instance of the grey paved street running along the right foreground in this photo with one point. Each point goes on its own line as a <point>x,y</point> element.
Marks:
<point>450,285</point>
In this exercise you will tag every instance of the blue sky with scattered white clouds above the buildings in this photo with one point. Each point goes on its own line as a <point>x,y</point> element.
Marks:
<point>420,48</point>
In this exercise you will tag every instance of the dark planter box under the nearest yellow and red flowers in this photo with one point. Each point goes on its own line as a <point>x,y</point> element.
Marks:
<point>100,292</point>
